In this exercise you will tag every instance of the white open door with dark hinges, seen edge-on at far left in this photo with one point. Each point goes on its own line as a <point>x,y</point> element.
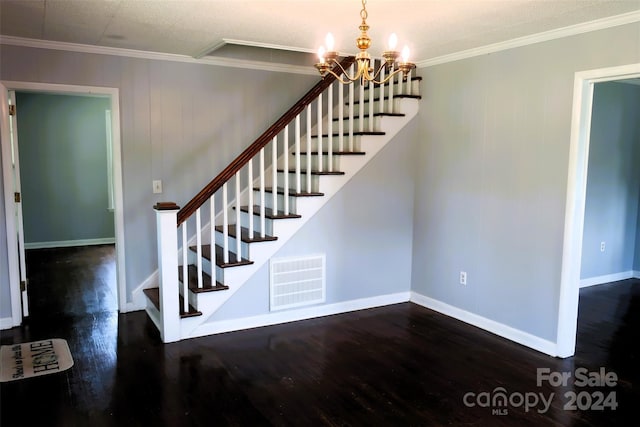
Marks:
<point>13,207</point>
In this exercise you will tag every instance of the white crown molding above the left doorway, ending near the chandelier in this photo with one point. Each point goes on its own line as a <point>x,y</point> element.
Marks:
<point>157,56</point>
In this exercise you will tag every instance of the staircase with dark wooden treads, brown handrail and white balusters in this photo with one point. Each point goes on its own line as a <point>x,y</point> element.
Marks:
<point>266,195</point>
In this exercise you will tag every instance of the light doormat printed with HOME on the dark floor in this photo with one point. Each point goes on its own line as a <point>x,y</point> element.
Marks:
<point>31,359</point>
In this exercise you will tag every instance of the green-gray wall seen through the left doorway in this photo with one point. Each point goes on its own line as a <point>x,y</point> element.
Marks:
<point>63,167</point>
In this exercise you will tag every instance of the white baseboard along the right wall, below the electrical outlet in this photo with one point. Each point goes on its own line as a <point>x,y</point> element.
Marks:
<point>497,328</point>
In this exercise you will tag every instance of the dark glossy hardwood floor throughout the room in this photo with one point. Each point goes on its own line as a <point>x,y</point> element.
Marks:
<point>400,365</point>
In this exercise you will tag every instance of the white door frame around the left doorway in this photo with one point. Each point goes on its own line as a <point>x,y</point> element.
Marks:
<point>113,95</point>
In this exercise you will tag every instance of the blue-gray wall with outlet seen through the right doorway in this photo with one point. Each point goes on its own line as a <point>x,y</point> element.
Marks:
<point>613,181</point>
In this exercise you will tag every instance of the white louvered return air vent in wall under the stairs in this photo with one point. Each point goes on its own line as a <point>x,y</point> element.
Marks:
<point>296,282</point>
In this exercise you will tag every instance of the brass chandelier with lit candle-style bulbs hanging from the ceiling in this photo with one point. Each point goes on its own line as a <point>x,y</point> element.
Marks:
<point>365,72</point>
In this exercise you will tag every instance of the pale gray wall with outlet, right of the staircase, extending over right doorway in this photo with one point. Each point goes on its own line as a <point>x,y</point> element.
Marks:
<point>492,178</point>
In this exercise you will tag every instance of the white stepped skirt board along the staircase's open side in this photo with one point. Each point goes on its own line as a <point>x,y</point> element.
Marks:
<point>307,207</point>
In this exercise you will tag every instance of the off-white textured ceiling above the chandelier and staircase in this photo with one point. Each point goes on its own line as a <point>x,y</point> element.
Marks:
<point>431,28</point>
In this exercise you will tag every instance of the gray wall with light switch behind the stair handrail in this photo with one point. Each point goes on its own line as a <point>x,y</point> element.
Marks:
<point>181,123</point>
